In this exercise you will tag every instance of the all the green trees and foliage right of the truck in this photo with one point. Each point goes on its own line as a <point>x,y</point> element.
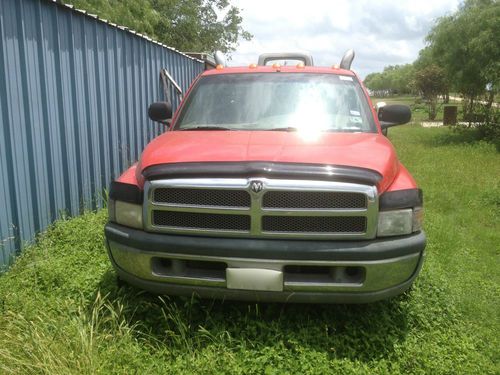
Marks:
<point>463,55</point>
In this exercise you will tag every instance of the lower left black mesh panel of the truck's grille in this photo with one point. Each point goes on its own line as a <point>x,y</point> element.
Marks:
<point>201,220</point>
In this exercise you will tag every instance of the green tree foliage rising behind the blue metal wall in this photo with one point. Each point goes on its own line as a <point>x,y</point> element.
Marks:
<point>187,25</point>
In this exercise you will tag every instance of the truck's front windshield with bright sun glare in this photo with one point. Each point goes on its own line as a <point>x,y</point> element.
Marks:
<point>277,101</point>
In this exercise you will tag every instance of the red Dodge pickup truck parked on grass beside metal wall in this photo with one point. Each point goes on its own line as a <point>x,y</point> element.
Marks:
<point>272,183</point>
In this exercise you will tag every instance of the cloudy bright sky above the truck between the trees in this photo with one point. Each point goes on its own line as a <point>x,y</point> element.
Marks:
<point>381,32</point>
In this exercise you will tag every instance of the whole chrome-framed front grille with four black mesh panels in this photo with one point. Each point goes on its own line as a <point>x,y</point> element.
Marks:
<point>279,208</point>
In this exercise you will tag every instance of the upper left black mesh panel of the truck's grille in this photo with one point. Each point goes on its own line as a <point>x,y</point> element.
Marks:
<point>202,197</point>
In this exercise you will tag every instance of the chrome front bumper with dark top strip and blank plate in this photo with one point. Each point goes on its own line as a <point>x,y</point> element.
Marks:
<point>266,270</point>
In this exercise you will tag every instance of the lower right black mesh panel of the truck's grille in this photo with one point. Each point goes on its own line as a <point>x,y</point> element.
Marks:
<point>314,224</point>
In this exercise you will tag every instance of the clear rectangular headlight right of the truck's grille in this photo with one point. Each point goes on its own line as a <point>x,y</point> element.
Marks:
<point>399,222</point>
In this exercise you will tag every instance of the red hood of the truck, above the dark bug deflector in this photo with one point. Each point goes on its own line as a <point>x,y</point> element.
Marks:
<point>366,150</point>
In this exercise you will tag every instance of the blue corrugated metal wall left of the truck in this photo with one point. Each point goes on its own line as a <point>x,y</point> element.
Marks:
<point>74,92</point>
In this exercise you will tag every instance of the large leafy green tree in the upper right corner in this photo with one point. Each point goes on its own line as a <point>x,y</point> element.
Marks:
<point>467,46</point>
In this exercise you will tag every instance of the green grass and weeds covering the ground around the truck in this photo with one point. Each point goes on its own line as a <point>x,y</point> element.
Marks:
<point>62,312</point>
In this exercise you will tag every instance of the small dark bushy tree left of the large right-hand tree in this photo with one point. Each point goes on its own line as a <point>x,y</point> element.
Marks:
<point>431,82</point>
